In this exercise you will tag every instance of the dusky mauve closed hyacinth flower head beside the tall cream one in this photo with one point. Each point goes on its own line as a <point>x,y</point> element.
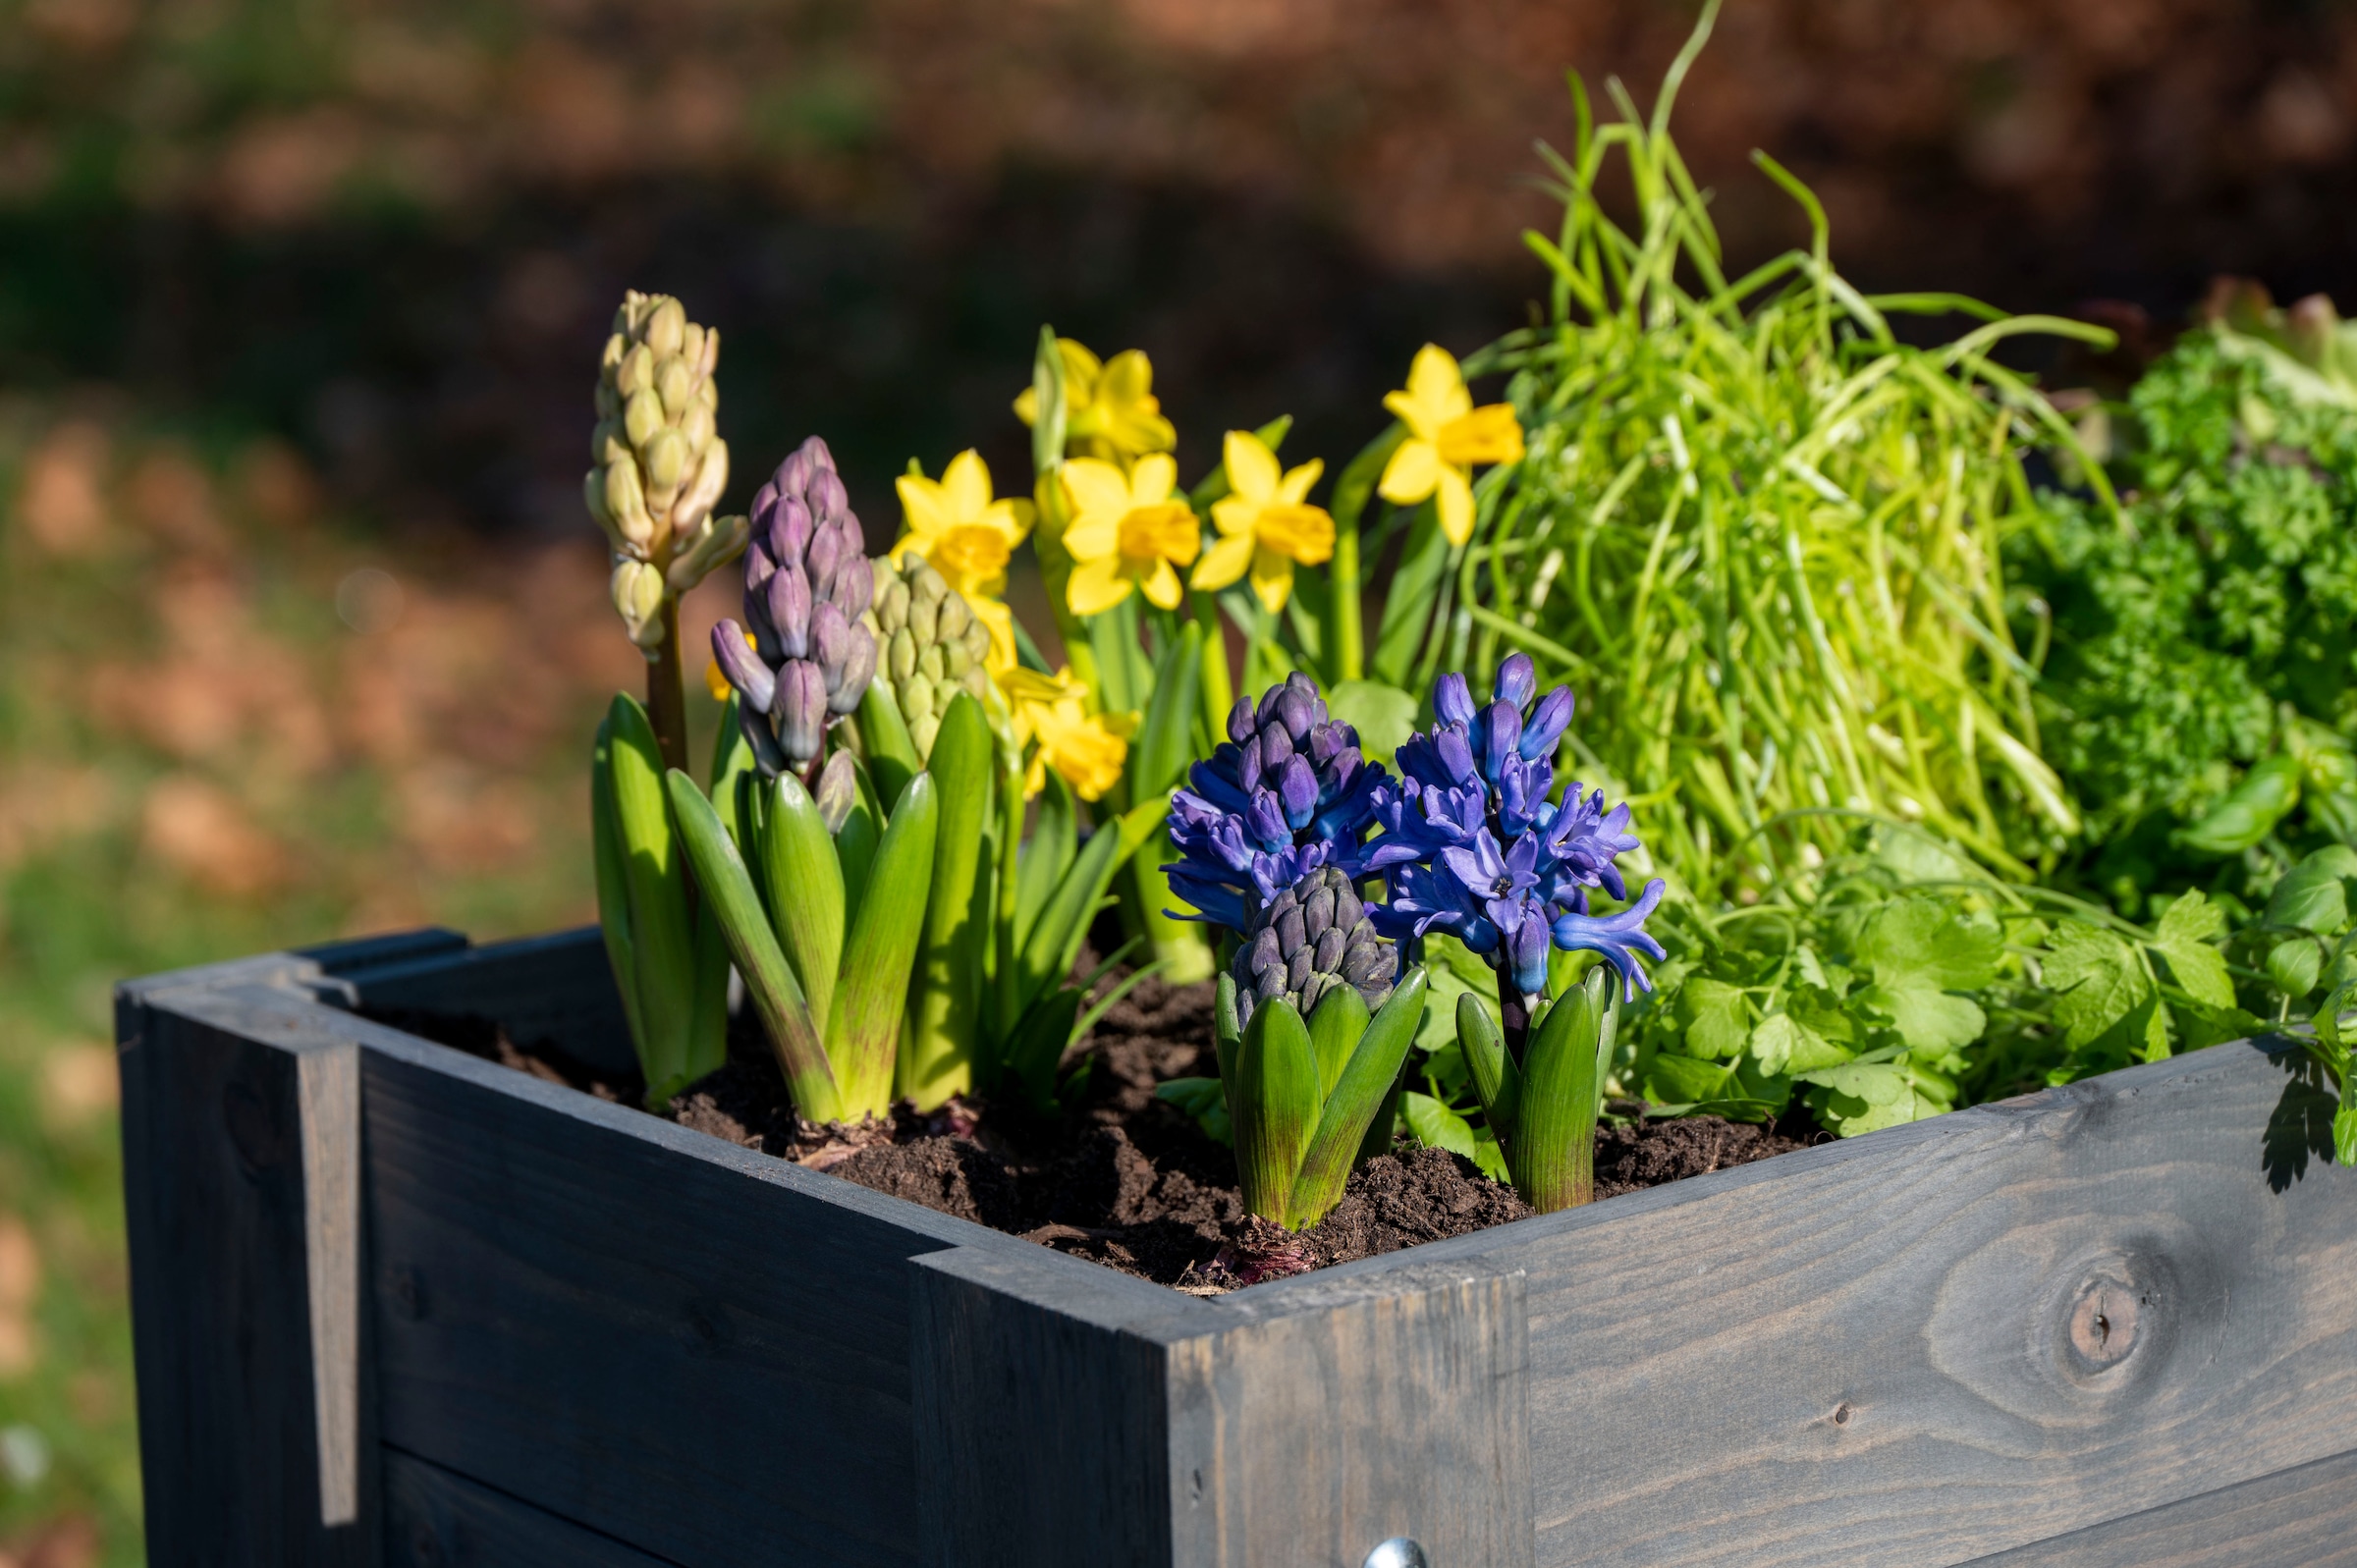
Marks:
<point>807,659</point>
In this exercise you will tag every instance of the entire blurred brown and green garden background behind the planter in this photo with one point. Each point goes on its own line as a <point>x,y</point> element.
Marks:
<point>303,628</point>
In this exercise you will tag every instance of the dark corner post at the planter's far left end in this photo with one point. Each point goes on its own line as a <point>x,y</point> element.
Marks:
<point>246,1324</point>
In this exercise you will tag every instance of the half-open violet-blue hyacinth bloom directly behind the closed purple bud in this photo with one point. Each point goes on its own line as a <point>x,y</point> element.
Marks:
<point>1288,793</point>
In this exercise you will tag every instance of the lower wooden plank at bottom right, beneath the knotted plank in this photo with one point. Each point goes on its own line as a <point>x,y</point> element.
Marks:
<point>2295,1520</point>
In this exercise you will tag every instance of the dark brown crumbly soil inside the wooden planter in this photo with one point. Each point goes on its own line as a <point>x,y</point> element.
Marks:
<point>1123,1178</point>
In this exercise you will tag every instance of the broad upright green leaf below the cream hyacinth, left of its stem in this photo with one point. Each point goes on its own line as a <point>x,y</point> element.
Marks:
<point>659,895</point>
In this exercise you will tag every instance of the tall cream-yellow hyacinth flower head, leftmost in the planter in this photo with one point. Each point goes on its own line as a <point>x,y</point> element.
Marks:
<point>661,463</point>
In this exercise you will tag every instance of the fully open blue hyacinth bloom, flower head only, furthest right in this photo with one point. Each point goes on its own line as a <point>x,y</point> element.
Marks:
<point>1474,848</point>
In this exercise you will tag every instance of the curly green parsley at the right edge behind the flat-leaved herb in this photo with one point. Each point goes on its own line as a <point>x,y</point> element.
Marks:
<point>2198,694</point>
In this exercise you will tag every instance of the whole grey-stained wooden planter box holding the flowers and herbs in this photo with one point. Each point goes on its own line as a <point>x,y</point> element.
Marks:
<point>397,1305</point>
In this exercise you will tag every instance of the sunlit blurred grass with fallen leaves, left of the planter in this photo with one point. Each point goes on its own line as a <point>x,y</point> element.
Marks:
<point>230,723</point>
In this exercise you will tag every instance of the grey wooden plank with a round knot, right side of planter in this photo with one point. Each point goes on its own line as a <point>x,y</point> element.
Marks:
<point>1943,1340</point>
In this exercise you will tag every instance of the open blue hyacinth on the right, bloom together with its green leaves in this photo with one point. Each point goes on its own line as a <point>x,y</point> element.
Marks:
<point>1477,848</point>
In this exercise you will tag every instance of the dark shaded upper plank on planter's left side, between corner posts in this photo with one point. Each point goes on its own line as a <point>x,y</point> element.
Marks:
<point>678,1343</point>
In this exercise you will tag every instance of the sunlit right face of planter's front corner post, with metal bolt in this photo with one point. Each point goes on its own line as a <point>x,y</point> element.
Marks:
<point>1342,1414</point>
